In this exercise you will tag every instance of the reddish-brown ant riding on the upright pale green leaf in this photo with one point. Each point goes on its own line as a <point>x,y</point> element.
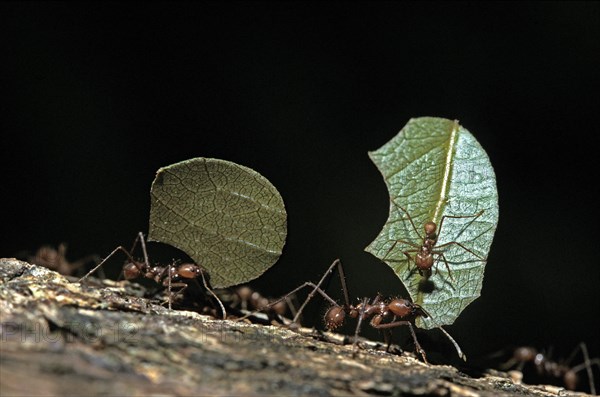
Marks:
<point>423,254</point>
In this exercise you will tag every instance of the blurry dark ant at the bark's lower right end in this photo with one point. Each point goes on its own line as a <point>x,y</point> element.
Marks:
<point>561,370</point>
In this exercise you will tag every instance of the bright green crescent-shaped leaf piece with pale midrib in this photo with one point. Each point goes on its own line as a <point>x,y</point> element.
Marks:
<point>436,171</point>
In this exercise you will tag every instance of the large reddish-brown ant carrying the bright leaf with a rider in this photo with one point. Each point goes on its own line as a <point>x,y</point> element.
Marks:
<point>400,312</point>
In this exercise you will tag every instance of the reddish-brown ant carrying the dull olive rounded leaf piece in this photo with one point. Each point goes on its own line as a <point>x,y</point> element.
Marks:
<point>167,276</point>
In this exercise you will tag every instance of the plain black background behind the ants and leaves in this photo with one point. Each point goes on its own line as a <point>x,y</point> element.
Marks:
<point>96,97</point>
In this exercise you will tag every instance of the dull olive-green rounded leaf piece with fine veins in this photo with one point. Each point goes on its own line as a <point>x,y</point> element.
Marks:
<point>228,218</point>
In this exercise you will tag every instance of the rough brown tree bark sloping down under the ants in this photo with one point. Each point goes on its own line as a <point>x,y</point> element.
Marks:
<point>62,338</point>
